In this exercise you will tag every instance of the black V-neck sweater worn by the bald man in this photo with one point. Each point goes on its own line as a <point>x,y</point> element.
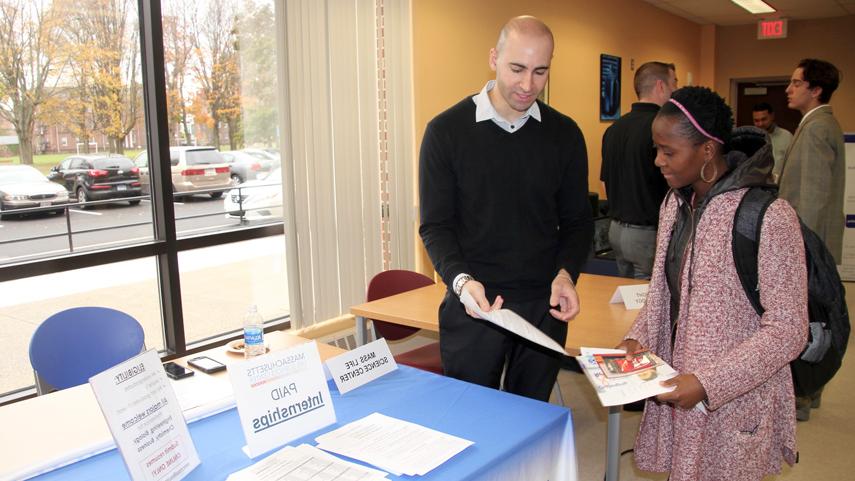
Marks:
<point>510,209</point>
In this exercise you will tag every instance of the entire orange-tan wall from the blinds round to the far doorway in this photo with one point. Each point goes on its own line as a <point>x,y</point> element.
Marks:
<point>452,38</point>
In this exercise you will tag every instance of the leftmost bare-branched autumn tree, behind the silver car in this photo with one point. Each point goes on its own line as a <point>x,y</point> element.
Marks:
<point>29,66</point>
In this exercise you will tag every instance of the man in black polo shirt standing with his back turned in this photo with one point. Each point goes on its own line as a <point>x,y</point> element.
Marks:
<point>634,186</point>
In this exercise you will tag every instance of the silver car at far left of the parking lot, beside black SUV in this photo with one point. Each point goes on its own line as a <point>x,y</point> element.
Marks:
<point>23,186</point>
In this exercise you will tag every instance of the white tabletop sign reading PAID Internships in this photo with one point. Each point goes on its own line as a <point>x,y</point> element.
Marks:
<point>281,396</point>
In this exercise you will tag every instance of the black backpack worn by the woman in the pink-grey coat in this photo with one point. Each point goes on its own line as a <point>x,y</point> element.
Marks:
<point>827,311</point>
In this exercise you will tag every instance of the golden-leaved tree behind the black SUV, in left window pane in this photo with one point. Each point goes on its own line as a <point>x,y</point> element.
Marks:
<point>105,40</point>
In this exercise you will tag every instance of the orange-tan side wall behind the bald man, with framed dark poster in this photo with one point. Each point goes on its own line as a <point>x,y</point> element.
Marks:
<point>452,39</point>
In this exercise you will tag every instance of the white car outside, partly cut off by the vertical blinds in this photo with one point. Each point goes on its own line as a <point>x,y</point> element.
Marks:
<point>256,200</point>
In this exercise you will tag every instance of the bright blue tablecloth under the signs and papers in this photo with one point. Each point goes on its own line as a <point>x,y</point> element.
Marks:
<point>515,438</point>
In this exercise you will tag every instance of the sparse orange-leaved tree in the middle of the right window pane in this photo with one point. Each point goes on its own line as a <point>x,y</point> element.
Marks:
<point>217,69</point>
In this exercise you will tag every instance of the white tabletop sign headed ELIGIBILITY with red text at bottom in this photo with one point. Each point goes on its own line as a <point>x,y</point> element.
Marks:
<point>145,419</point>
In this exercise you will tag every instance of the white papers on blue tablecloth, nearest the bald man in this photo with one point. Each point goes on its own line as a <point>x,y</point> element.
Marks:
<point>393,445</point>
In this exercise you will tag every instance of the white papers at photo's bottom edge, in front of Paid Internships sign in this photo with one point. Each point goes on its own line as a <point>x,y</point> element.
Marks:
<point>305,463</point>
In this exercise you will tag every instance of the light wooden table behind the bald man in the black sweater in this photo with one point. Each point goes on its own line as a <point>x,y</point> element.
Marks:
<point>599,324</point>
